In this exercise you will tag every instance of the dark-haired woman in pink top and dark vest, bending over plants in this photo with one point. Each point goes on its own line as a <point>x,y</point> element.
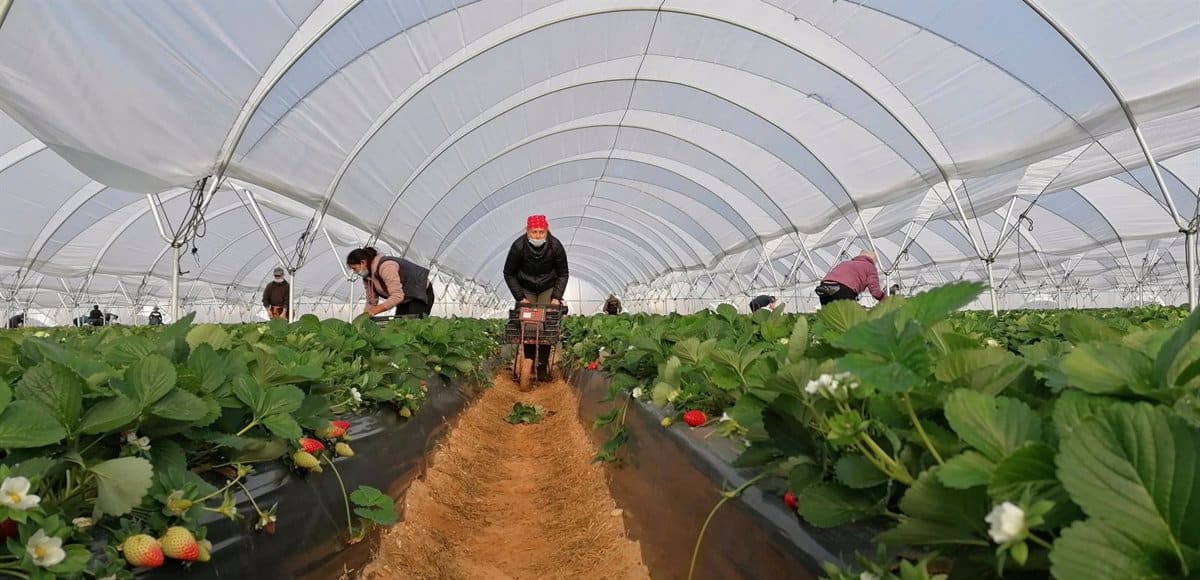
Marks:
<point>393,283</point>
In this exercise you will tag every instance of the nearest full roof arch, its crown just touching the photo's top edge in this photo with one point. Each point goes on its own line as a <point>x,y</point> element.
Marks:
<point>403,100</point>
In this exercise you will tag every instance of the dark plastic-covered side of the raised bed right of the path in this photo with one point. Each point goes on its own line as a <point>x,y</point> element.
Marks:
<point>669,480</point>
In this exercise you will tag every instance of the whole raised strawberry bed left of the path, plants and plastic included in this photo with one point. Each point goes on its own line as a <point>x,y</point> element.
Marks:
<point>271,451</point>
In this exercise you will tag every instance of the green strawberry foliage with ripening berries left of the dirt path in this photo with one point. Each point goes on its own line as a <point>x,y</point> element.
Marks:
<point>121,443</point>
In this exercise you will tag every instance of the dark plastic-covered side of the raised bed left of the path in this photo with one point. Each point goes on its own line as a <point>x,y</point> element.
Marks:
<point>310,539</point>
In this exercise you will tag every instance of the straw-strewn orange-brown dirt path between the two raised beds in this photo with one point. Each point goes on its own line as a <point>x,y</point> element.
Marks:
<point>512,501</point>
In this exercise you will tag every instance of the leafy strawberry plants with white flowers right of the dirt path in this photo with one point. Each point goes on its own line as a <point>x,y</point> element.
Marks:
<point>1035,445</point>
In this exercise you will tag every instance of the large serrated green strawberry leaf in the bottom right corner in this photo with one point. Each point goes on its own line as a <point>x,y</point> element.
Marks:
<point>1133,470</point>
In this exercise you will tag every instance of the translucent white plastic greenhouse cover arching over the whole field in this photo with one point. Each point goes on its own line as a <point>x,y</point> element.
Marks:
<point>685,151</point>
